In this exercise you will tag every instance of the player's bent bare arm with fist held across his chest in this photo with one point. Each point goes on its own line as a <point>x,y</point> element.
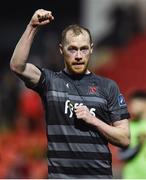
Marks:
<point>117,134</point>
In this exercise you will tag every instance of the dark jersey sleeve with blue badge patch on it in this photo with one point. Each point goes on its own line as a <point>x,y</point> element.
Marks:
<point>116,103</point>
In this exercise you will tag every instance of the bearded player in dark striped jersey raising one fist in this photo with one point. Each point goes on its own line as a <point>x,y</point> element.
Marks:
<point>83,111</point>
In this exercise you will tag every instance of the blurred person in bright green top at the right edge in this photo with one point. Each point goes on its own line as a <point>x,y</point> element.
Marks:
<point>134,156</point>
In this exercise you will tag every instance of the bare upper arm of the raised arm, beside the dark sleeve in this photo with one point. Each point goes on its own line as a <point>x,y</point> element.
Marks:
<point>30,75</point>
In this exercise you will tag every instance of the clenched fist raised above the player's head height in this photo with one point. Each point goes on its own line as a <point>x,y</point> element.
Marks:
<point>41,17</point>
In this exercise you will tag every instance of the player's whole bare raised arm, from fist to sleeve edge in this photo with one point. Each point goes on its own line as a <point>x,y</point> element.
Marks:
<point>18,63</point>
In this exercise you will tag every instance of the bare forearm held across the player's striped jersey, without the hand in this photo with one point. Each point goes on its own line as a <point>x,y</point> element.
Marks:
<point>115,135</point>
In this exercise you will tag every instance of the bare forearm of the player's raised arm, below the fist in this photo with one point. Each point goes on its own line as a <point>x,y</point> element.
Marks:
<point>22,49</point>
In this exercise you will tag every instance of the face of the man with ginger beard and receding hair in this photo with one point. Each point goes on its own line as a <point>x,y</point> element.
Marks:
<point>76,51</point>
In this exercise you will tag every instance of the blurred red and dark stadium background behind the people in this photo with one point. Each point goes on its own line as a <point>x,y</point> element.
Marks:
<point>118,28</point>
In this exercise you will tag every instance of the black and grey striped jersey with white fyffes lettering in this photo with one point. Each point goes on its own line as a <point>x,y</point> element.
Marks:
<point>77,149</point>
